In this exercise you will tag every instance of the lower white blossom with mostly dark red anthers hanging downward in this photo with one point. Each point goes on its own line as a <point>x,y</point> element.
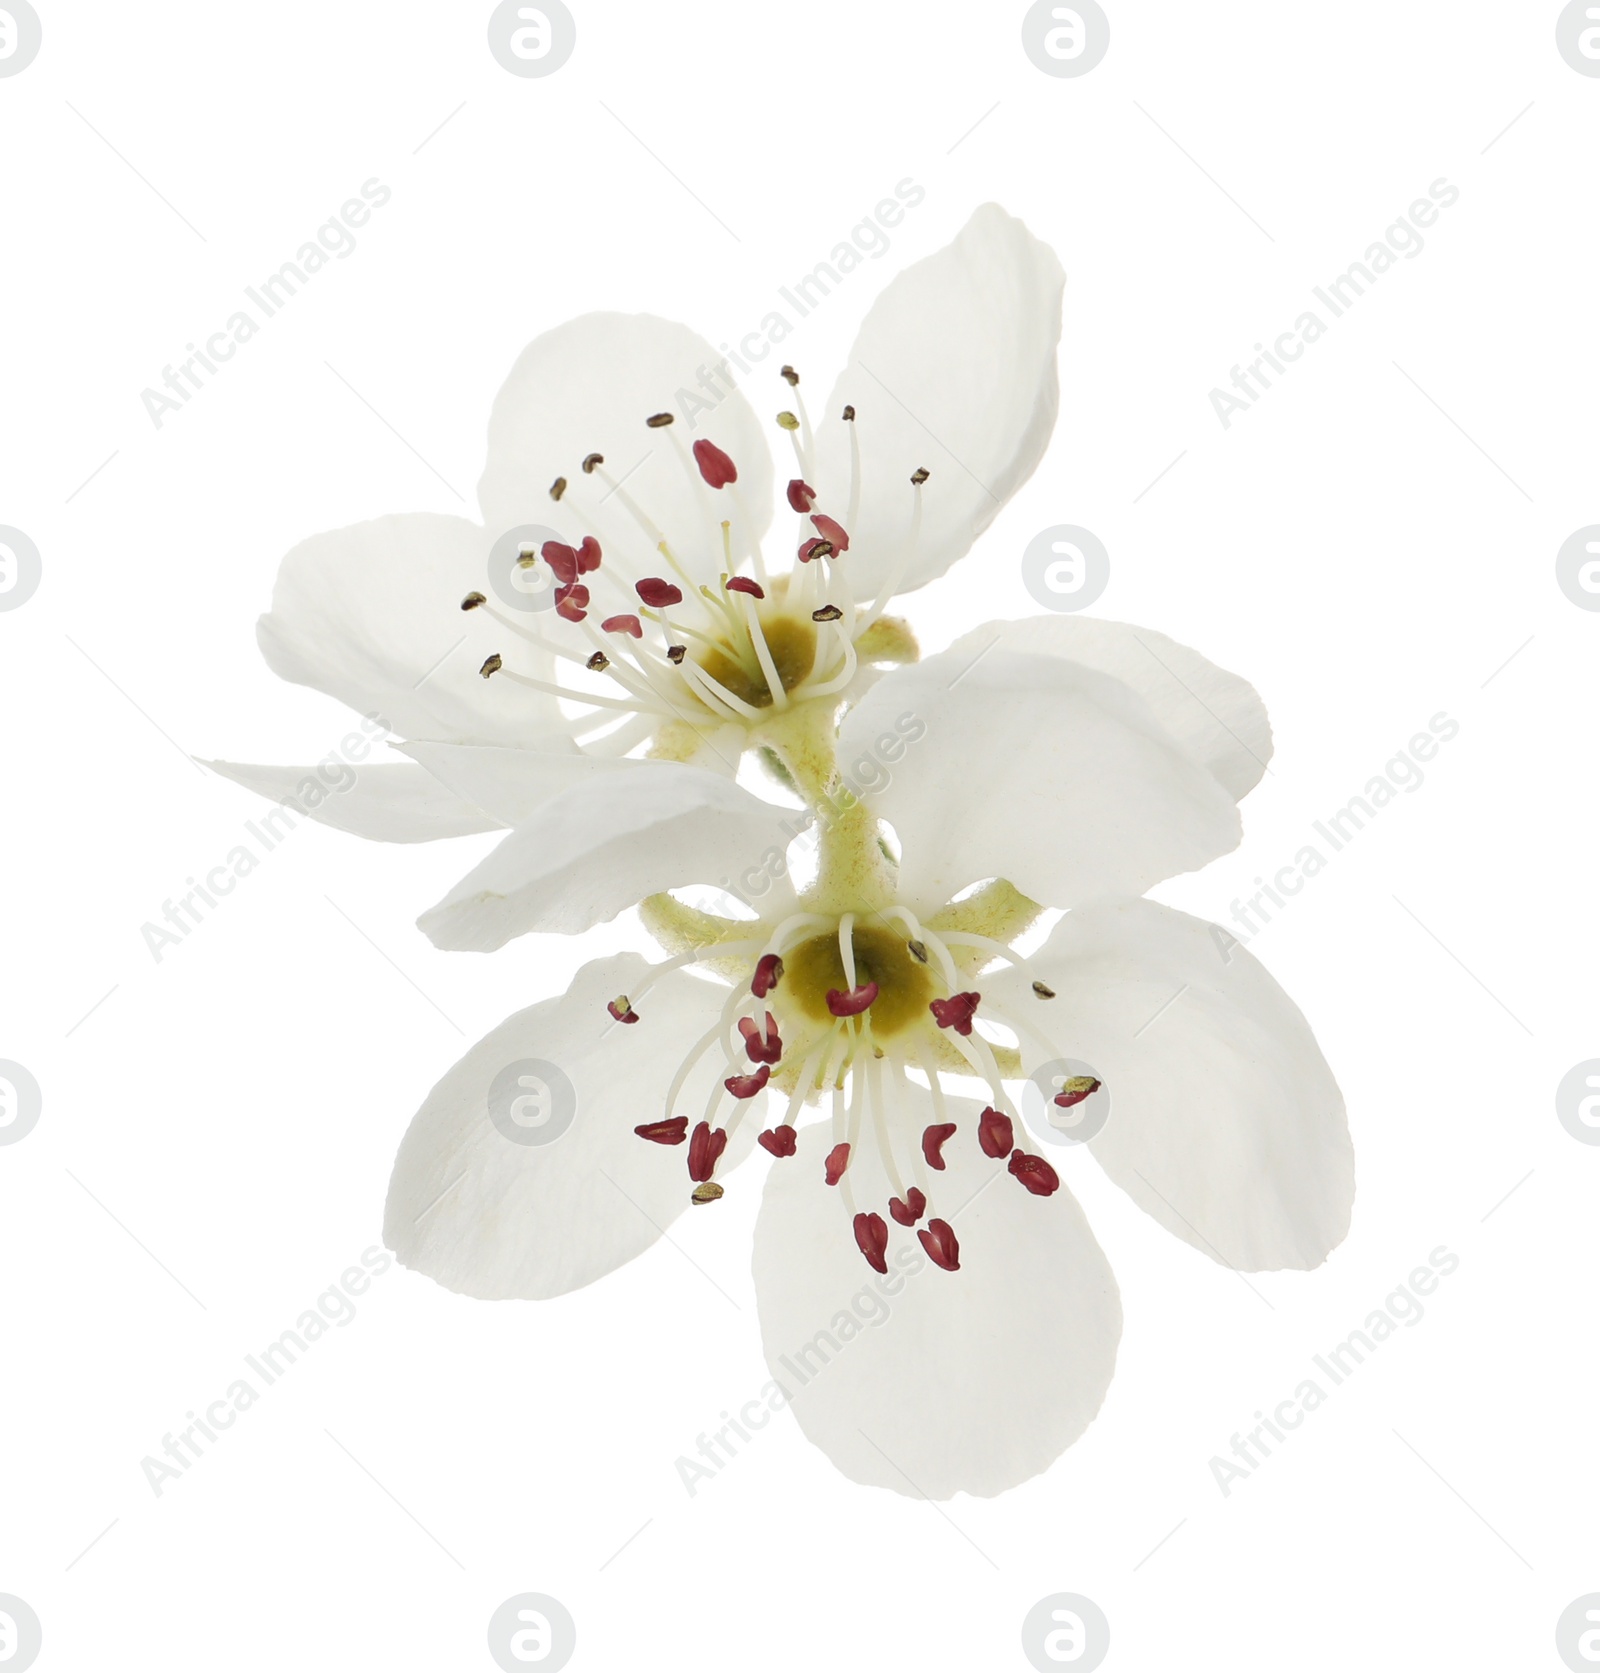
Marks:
<point>1065,762</point>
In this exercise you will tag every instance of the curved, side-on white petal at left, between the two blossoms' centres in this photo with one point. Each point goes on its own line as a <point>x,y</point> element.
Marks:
<point>608,842</point>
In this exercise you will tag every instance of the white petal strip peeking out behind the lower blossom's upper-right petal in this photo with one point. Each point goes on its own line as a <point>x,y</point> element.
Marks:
<point>1216,717</point>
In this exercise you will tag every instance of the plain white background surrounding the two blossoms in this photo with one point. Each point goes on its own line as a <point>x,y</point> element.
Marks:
<point>1360,556</point>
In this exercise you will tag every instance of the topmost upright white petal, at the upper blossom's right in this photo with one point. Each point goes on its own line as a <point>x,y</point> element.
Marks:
<point>955,372</point>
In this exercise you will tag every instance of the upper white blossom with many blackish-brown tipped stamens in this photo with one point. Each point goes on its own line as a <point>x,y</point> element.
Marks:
<point>674,635</point>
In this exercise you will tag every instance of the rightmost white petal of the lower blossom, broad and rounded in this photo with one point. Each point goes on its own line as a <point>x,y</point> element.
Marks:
<point>1226,1122</point>
